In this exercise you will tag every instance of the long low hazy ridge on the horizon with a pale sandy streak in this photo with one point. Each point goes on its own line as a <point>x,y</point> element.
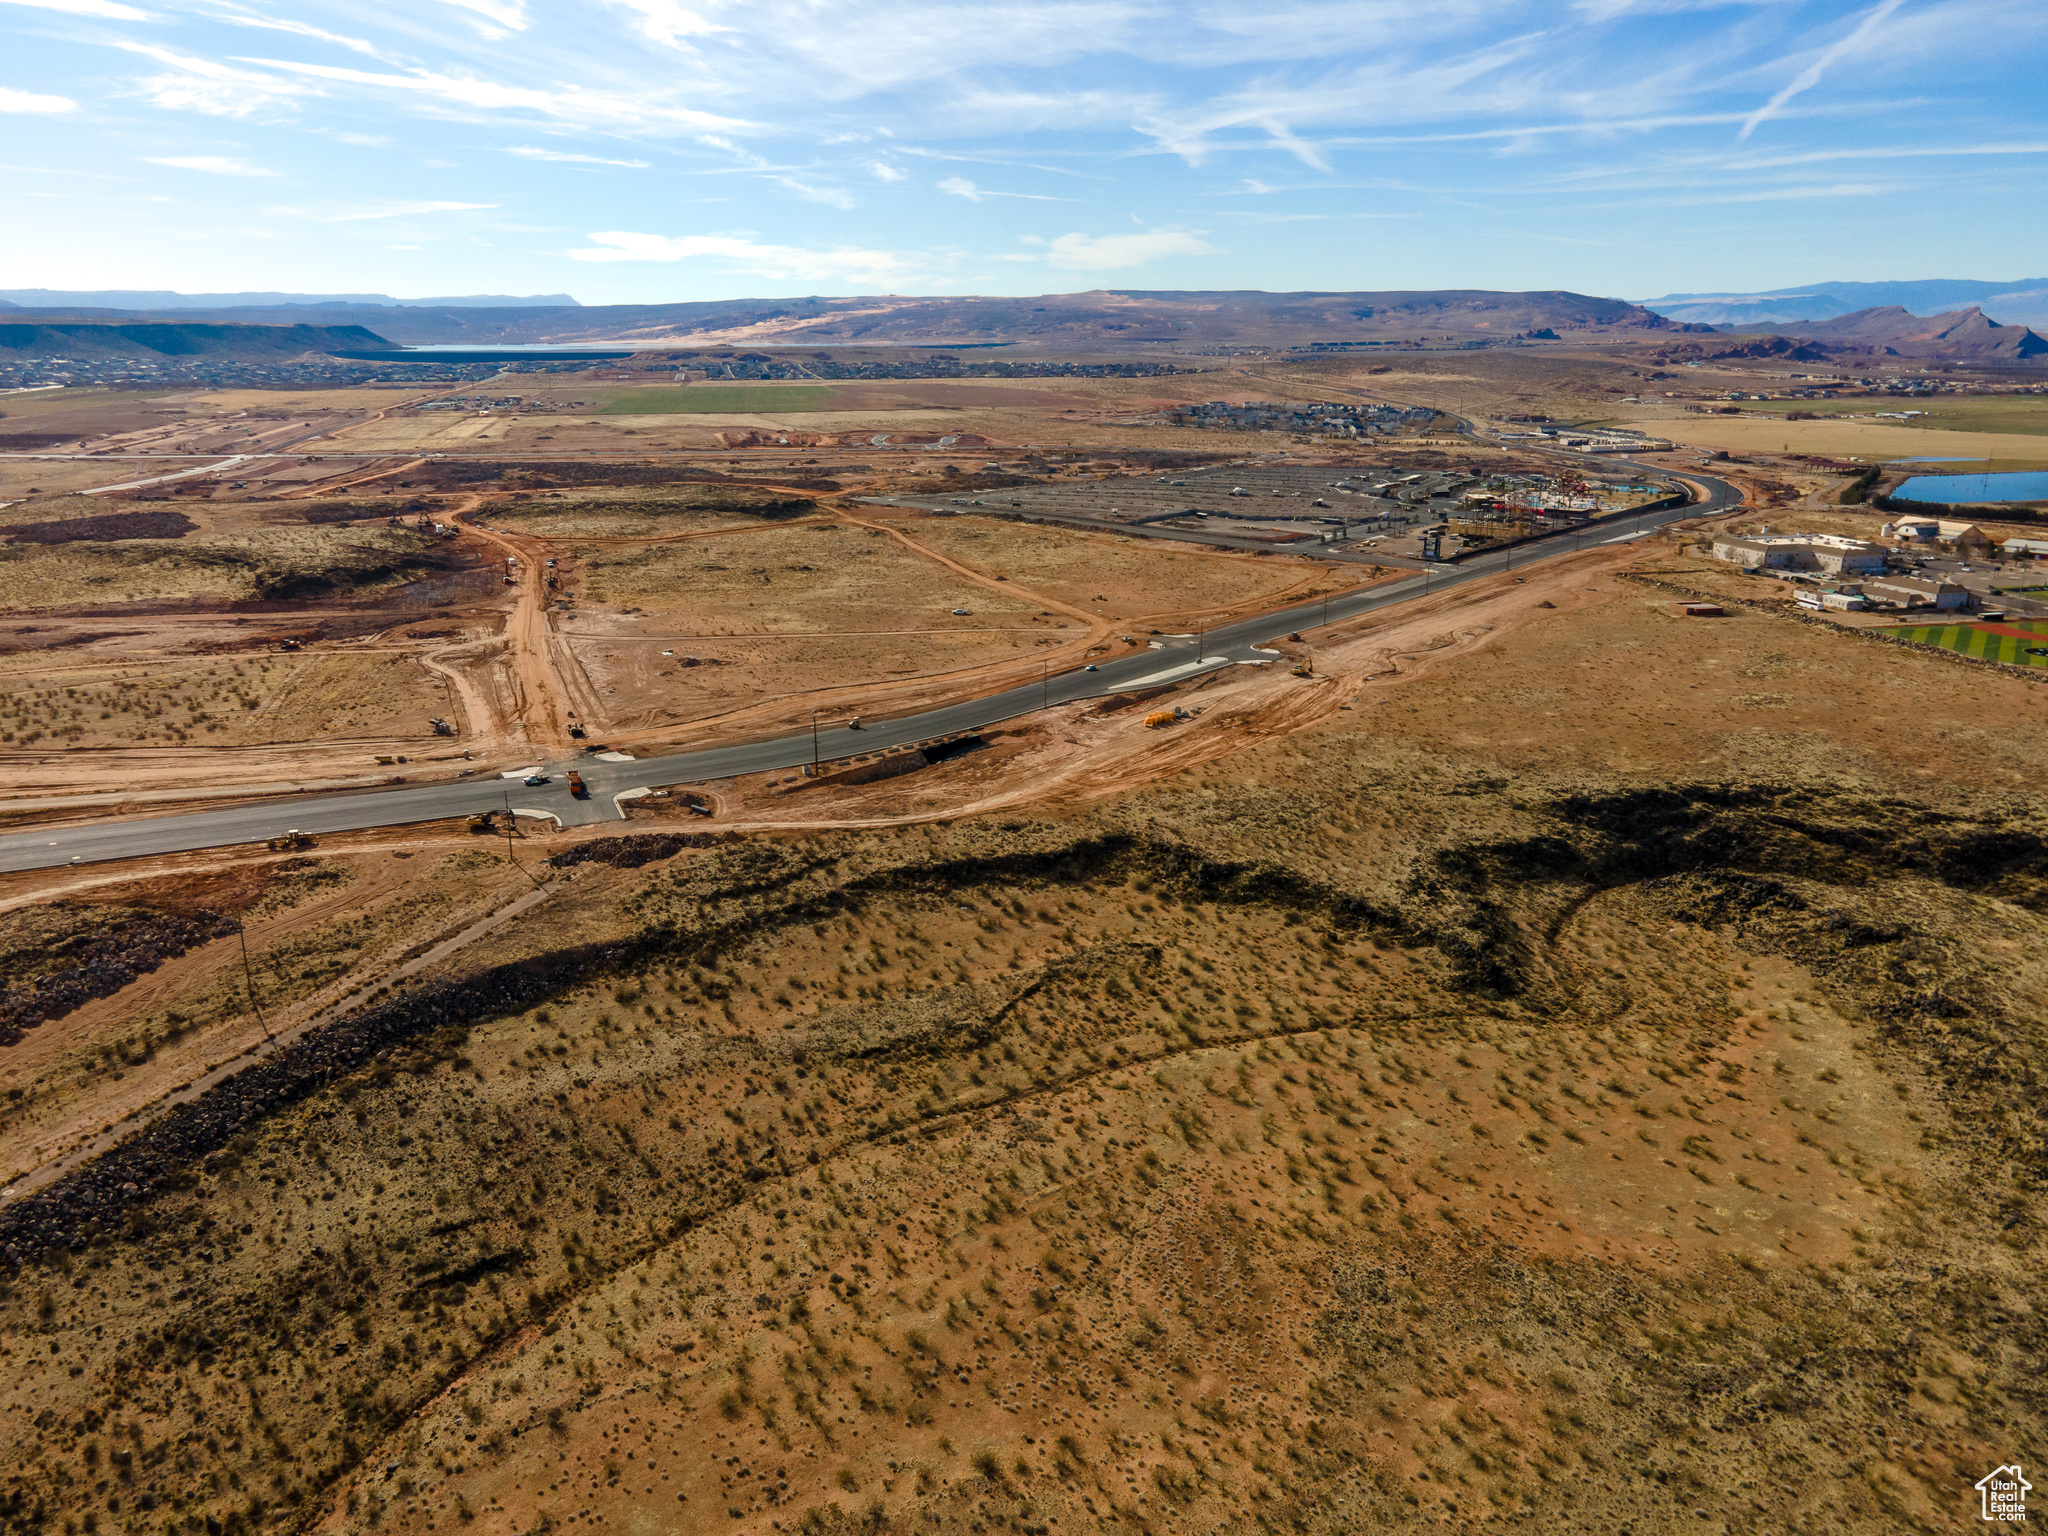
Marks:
<point>1101,321</point>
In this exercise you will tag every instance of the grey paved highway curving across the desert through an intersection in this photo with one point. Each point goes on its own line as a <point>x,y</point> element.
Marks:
<point>1172,660</point>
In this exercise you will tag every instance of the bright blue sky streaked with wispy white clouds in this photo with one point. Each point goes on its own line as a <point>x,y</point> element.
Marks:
<point>658,151</point>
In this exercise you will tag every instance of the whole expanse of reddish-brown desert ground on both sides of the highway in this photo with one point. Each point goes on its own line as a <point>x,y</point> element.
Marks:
<point>1529,1058</point>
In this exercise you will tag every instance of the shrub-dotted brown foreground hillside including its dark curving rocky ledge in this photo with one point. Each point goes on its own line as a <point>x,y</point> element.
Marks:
<point>1064,1168</point>
